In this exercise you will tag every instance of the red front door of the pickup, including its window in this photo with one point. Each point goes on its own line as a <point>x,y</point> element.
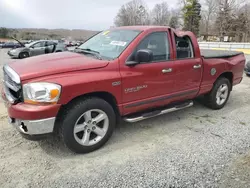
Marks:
<point>149,84</point>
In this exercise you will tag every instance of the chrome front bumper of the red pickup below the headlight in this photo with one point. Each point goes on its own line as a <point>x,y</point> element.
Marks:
<point>34,127</point>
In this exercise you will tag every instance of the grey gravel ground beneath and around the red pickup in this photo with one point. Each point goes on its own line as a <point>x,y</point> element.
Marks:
<point>195,147</point>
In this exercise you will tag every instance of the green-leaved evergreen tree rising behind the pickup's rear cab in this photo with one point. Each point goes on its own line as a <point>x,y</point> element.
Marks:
<point>192,15</point>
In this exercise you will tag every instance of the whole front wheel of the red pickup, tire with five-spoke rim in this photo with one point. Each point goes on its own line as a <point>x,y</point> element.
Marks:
<point>78,123</point>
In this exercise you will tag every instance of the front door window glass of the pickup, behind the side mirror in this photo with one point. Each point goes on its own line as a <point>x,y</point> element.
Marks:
<point>158,43</point>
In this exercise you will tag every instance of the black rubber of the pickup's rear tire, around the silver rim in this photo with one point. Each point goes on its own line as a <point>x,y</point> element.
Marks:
<point>212,96</point>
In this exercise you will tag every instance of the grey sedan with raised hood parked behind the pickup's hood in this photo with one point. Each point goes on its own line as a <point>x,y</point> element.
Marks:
<point>36,48</point>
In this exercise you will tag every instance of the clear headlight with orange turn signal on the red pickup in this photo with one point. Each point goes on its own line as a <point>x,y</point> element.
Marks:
<point>41,93</point>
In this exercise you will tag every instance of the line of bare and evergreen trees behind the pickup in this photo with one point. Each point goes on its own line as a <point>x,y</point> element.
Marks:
<point>205,18</point>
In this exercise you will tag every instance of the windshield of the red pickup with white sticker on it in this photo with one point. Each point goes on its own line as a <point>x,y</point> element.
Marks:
<point>110,44</point>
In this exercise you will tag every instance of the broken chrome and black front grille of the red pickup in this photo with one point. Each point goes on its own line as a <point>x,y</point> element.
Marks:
<point>11,88</point>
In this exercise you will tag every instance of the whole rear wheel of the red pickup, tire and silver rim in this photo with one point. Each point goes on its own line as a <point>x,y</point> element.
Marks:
<point>211,99</point>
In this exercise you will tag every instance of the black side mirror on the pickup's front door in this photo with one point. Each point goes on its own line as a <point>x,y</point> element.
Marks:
<point>141,56</point>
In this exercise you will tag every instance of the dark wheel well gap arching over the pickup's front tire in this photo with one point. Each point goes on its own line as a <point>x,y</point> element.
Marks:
<point>108,97</point>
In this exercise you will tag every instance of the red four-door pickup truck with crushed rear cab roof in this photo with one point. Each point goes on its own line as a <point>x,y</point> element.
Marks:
<point>133,73</point>
